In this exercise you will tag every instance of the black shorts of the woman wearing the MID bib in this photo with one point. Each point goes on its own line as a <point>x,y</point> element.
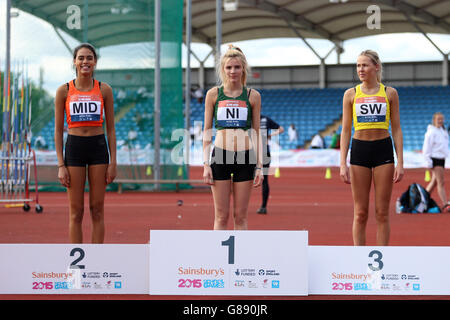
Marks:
<point>81,151</point>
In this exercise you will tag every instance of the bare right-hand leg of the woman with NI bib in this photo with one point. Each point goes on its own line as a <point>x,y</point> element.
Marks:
<point>241,197</point>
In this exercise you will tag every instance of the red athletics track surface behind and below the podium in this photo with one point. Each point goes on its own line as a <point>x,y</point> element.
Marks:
<point>301,199</point>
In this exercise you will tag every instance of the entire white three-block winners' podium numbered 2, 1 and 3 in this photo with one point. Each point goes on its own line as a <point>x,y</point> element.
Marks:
<point>253,263</point>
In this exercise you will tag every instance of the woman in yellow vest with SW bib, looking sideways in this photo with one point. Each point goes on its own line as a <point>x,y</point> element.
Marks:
<point>372,106</point>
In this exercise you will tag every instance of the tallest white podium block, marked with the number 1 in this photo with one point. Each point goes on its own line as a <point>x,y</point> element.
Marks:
<point>228,262</point>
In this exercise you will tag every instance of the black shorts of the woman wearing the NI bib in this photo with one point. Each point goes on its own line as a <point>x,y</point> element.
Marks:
<point>239,163</point>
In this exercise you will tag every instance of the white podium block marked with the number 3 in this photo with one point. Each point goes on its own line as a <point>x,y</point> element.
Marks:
<point>379,270</point>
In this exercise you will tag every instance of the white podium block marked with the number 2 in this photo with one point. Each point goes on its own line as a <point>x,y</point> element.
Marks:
<point>74,269</point>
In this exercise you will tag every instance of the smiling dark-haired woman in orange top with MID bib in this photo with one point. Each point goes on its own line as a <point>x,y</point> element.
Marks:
<point>84,101</point>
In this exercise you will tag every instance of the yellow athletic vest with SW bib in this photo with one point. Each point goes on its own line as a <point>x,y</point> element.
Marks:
<point>371,111</point>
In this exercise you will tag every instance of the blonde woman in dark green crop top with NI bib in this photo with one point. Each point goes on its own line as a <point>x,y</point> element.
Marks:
<point>236,160</point>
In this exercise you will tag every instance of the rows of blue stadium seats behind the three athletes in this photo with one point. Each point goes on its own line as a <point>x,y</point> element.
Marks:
<point>310,110</point>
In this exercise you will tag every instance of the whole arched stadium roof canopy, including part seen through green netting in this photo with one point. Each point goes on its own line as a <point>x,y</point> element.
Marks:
<point>113,22</point>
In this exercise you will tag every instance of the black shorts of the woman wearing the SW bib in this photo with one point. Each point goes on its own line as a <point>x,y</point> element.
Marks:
<point>371,154</point>
